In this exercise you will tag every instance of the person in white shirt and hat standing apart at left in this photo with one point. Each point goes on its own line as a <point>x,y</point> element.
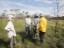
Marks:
<point>10,30</point>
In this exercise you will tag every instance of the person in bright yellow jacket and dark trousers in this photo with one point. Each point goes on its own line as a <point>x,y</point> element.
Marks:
<point>42,27</point>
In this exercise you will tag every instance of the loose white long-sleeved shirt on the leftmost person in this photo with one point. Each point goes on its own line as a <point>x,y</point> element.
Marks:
<point>10,27</point>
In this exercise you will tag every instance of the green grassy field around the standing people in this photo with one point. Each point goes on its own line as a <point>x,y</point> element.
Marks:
<point>52,39</point>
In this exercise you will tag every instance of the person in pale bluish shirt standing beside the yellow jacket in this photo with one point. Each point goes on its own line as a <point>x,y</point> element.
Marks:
<point>35,24</point>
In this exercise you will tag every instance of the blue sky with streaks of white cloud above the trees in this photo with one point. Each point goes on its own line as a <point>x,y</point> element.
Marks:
<point>46,7</point>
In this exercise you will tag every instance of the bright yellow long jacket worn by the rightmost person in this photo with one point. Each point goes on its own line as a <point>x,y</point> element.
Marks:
<point>42,24</point>
